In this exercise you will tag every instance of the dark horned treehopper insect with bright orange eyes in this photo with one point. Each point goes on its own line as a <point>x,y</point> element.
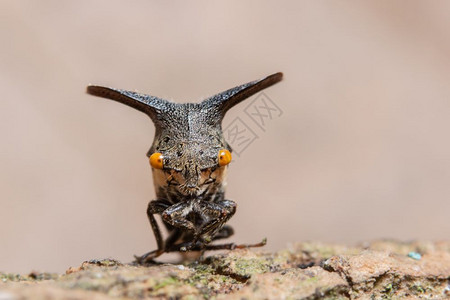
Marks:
<point>189,158</point>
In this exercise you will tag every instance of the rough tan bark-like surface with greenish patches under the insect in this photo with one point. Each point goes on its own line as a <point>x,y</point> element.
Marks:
<point>379,270</point>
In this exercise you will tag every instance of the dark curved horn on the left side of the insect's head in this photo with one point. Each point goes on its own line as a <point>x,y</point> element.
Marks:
<point>150,105</point>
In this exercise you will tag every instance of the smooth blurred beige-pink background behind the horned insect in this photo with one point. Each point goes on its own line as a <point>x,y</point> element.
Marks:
<point>362,150</point>
